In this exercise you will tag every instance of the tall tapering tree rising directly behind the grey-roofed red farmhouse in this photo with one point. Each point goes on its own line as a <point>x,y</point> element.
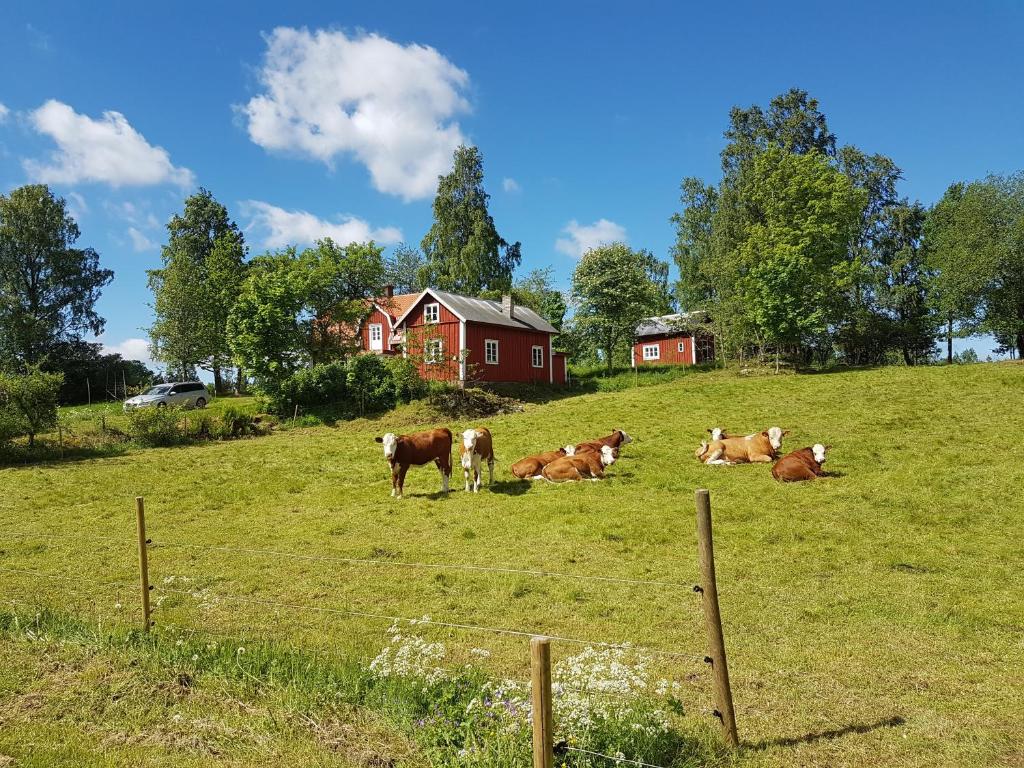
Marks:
<point>464,252</point>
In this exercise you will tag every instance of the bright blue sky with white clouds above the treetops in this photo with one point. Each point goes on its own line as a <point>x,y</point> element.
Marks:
<point>335,119</point>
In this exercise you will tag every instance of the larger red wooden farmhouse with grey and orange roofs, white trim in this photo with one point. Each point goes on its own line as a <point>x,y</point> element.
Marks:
<point>458,338</point>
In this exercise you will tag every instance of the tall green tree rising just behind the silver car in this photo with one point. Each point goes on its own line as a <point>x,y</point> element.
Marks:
<point>204,264</point>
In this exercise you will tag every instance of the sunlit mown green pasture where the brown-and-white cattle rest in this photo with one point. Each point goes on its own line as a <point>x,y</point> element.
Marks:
<point>875,618</point>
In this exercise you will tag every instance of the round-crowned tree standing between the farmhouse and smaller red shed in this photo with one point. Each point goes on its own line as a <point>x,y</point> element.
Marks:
<point>615,289</point>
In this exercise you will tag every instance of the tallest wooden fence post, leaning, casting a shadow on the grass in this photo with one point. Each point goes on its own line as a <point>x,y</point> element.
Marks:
<point>713,619</point>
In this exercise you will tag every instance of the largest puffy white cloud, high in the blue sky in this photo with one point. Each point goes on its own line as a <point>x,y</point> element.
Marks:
<point>391,107</point>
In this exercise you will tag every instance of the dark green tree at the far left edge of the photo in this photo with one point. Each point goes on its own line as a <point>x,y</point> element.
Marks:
<point>49,289</point>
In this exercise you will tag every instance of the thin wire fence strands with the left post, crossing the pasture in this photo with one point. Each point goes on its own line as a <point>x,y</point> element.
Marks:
<point>163,590</point>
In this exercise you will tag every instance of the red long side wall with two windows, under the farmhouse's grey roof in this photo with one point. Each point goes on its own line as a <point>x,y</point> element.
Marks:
<point>515,355</point>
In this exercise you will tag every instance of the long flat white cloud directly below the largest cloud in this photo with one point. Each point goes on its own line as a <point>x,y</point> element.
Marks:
<point>283,228</point>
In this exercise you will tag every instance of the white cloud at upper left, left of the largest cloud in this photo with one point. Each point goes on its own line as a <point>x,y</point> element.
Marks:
<point>107,150</point>
